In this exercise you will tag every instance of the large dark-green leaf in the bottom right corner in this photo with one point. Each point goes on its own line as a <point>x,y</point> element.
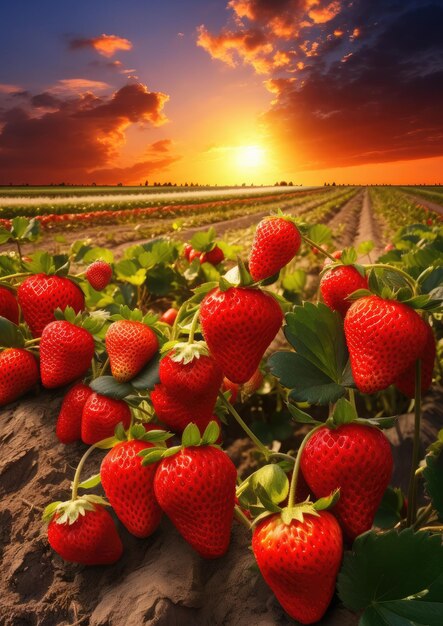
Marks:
<point>385,573</point>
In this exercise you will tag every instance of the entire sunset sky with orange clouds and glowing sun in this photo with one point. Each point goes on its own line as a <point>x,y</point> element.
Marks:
<point>221,92</point>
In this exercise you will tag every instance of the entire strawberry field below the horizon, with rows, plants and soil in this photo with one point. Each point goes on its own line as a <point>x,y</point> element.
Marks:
<point>222,407</point>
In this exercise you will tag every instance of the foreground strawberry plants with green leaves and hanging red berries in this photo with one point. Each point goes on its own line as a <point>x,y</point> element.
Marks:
<point>319,509</point>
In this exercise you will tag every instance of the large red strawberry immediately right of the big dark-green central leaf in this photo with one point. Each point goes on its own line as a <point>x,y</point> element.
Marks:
<point>384,339</point>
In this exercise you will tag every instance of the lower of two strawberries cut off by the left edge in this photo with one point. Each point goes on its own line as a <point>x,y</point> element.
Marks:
<point>18,374</point>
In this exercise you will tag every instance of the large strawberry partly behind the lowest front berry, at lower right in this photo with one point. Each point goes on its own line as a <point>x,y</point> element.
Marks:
<point>358,460</point>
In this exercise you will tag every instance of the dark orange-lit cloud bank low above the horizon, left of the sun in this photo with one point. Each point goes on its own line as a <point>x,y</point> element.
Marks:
<point>56,137</point>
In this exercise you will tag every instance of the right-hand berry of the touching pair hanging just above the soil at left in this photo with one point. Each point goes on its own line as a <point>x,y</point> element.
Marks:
<point>101,415</point>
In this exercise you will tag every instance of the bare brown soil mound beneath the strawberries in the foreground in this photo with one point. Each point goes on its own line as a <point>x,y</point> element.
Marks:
<point>159,580</point>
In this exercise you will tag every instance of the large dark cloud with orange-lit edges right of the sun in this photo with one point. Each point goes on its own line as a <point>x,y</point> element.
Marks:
<point>352,82</point>
